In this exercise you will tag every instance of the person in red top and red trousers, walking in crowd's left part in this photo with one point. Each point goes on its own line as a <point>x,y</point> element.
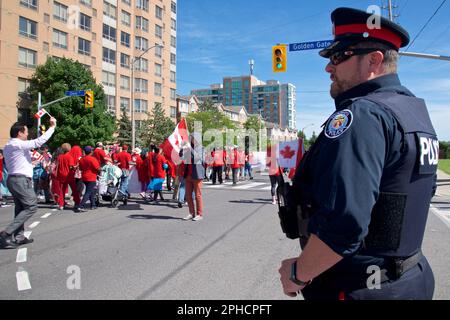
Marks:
<point>66,176</point>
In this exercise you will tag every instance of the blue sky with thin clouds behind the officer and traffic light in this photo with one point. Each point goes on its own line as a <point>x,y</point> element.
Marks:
<point>217,38</point>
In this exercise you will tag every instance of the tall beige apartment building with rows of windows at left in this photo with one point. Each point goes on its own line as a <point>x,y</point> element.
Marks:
<point>103,35</point>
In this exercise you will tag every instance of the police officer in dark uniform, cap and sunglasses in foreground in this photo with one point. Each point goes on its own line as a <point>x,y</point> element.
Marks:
<point>367,182</point>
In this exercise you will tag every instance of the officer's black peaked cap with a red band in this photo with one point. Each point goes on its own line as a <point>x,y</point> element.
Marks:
<point>352,26</point>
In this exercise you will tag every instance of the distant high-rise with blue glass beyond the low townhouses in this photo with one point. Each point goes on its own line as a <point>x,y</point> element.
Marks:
<point>276,102</point>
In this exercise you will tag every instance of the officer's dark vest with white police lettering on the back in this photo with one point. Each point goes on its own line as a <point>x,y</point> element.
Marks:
<point>399,216</point>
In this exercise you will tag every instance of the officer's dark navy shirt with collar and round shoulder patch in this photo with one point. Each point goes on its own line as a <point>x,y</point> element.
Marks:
<point>358,141</point>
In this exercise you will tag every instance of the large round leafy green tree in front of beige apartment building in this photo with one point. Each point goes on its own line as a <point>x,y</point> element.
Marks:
<point>76,124</point>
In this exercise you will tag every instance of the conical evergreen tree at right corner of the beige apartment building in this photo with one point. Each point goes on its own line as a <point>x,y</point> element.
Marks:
<point>156,128</point>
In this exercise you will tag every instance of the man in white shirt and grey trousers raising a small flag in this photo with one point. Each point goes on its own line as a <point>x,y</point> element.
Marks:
<point>20,174</point>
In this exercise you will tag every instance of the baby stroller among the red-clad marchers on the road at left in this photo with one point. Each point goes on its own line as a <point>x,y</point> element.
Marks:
<point>108,185</point>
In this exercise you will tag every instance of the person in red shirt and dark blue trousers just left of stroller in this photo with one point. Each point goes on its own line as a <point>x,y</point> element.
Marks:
<point>89,167</point>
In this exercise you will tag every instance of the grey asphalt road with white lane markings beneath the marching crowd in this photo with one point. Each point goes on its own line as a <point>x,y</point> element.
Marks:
<point>143,251</point>
